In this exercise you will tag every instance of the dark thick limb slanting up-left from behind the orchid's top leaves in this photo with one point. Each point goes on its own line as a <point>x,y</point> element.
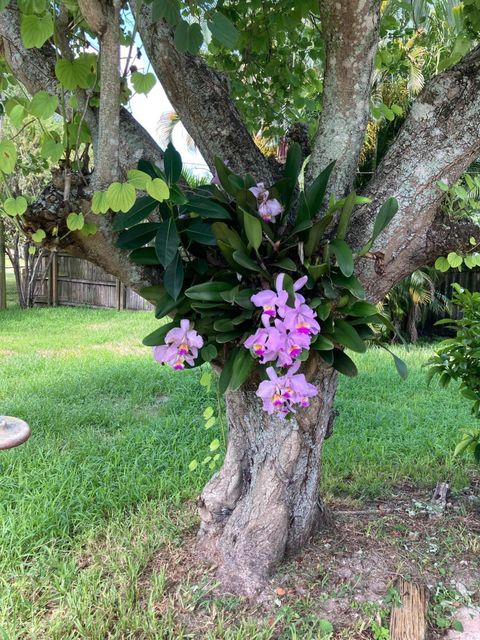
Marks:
<point>201,98</point>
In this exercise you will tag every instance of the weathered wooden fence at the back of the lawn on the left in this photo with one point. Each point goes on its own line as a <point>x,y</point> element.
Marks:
<point>68,281</point>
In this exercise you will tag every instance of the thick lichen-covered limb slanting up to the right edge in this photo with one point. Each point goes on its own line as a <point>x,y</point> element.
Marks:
<point>438,141</point>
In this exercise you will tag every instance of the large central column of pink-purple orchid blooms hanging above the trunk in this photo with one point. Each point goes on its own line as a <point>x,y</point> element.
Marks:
<point>282,342</point>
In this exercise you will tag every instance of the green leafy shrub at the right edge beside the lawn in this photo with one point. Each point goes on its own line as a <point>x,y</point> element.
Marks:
<point>458,358</point>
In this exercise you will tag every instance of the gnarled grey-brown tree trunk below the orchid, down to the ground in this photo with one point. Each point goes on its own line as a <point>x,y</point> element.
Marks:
<point>264,502</point>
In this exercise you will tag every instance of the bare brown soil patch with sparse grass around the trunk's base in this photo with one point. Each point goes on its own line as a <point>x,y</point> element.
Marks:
<point>346,575</point>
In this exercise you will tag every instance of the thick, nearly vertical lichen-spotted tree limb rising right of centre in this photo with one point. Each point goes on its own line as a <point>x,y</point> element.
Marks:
<point>350,30</point>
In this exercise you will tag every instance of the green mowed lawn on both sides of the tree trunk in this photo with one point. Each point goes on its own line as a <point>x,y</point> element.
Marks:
<point>104,479</point>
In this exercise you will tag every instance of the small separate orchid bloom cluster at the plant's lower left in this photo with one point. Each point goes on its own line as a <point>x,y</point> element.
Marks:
<point>181,345</point>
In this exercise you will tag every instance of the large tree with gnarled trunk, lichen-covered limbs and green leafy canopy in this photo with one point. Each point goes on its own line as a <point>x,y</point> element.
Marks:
<point>267,66</point>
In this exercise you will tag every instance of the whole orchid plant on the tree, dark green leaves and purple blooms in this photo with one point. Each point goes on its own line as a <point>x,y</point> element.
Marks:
<point>226,249</point>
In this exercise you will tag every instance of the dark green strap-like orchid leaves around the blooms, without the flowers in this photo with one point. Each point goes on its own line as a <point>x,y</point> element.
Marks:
<point>217,251</point>
